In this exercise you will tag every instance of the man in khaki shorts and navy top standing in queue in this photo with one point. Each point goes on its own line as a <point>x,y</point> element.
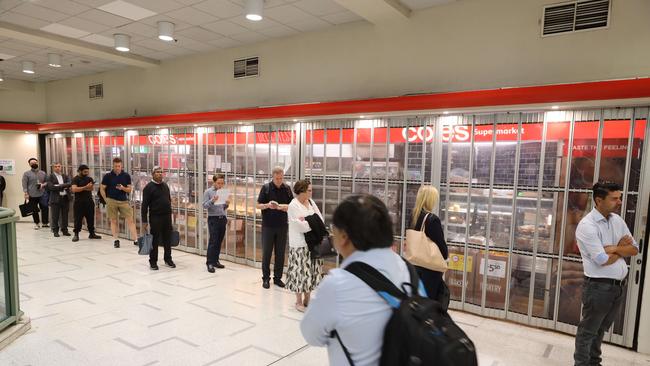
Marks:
<point>116,185</point>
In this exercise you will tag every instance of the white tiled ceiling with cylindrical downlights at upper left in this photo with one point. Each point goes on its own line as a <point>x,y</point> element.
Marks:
<point>201,26</point>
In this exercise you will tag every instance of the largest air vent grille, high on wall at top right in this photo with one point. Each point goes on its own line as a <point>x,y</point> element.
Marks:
<point>576,16</point>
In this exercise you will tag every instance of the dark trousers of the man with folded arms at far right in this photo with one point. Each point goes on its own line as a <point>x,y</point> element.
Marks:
<point>601,303</point>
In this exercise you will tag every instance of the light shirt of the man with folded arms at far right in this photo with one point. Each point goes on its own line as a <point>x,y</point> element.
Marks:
<point>593,234</point>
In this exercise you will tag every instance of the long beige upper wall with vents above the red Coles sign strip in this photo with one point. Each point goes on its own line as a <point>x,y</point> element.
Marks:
<point>466,45</point>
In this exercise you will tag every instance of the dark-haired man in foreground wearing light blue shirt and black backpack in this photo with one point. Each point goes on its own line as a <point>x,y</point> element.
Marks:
<point>374,310</point>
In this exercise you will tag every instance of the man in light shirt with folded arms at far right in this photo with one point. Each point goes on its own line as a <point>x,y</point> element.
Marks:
<point>604,241</point>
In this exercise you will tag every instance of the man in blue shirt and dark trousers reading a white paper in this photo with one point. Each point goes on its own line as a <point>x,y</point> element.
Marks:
<point>217,220</point>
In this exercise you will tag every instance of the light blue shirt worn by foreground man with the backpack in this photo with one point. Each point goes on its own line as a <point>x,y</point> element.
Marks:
<point>345,303</point>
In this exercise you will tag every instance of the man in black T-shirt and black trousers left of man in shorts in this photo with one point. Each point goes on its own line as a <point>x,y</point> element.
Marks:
<point>82,187</point>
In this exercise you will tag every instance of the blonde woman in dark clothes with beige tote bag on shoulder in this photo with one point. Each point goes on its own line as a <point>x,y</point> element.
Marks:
<point>424,220</point>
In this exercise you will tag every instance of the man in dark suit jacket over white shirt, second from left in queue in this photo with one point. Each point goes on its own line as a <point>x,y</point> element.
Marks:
<point>58,184</point>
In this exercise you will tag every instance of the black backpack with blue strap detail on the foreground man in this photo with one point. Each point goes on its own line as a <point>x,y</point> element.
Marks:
<point>420,331</point>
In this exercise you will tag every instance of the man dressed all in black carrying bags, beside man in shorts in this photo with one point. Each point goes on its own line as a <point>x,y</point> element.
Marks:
<point>157,211</point>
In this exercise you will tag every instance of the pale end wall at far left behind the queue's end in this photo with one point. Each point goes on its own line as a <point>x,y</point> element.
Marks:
<point>19,147</point>
